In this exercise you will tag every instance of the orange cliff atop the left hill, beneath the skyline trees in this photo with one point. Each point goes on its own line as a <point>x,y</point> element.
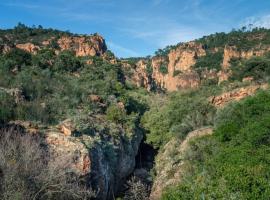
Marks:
<point>84,45</point>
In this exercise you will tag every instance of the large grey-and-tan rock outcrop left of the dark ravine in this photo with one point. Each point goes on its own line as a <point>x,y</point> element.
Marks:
<point>103,161</point>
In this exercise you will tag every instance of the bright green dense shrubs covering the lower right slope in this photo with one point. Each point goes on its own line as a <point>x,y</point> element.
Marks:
<point>234,163</point>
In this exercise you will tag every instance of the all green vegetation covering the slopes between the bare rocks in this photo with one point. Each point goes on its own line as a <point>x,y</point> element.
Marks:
<point>48,87</point>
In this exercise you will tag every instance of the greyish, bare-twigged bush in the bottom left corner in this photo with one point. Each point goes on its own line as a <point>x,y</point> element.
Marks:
<point>25,172</point>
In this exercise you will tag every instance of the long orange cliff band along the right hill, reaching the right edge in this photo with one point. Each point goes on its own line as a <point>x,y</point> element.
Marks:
<point>175,70</point>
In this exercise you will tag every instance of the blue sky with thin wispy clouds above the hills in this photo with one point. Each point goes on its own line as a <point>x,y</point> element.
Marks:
<point>137,27</point>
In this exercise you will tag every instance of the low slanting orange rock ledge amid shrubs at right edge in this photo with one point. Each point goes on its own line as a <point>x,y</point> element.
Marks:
<point>236,95</point>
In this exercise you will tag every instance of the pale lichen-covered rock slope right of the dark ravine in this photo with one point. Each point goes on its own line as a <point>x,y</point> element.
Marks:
<point>169,162</point>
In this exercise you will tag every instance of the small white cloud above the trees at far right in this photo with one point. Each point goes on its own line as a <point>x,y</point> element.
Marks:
<point>261,21</point>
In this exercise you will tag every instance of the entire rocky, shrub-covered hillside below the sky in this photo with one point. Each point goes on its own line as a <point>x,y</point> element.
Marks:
<point>76,122</point>
